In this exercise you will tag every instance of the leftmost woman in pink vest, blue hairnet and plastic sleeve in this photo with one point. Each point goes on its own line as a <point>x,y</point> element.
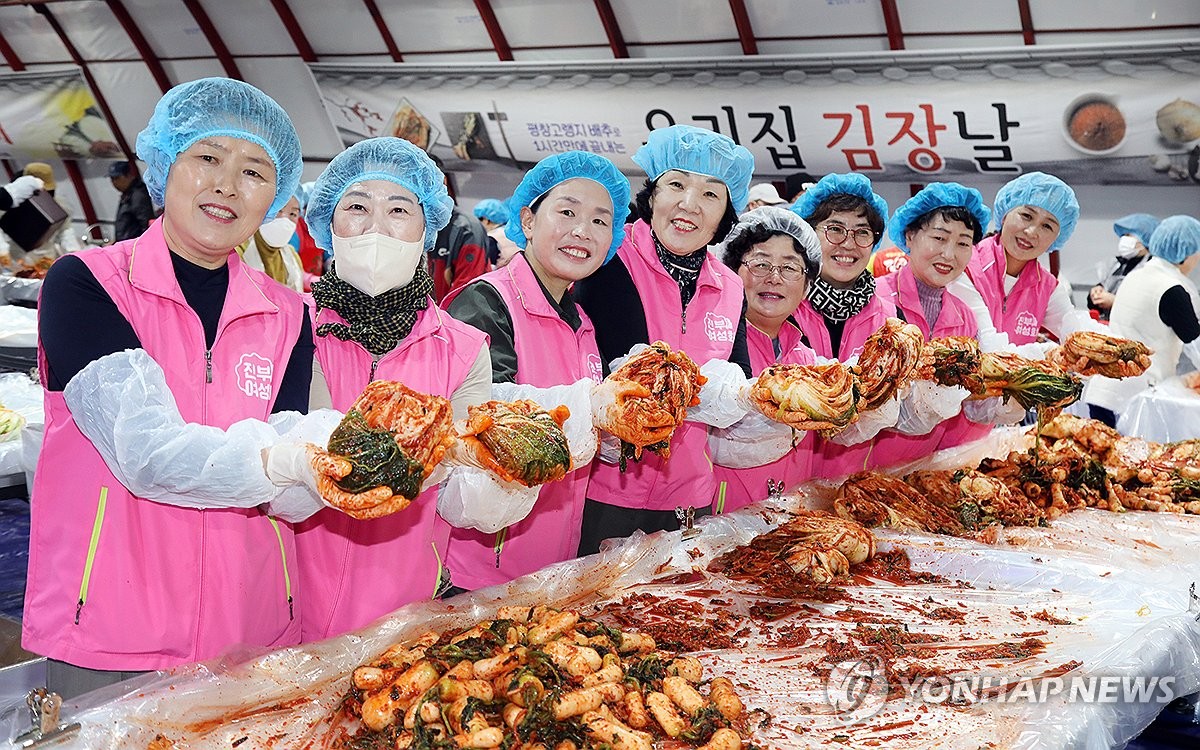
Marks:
<point>163,358</point>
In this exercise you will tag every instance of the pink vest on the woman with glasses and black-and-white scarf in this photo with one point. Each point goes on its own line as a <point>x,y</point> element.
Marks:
<point>830,459</point>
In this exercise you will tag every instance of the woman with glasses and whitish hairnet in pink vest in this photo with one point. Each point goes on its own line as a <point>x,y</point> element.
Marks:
<point>777,254</point>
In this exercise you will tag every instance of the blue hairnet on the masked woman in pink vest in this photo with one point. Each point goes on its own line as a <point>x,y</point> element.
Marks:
<point>380,159</point>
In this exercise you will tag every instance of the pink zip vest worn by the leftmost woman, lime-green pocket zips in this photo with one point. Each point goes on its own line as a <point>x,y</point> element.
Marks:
<point>118,583</point>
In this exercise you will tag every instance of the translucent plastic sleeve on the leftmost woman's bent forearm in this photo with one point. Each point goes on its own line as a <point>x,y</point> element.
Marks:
<point>123,405</point>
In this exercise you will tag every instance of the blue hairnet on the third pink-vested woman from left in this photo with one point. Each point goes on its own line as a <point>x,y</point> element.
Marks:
<point>568,166</point>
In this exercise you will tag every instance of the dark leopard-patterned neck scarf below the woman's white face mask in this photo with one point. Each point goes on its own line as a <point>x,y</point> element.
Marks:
<point>379,323</point>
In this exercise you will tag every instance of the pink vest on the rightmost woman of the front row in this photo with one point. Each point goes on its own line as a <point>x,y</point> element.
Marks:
<point>1022,313</point>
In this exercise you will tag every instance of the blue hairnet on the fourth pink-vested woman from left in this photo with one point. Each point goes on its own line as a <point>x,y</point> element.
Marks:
<point>701,152</point>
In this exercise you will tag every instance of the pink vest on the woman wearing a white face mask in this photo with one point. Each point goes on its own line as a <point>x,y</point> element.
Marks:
<point>357,572</point>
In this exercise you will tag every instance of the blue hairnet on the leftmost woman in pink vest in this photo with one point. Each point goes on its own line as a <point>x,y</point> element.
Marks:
<point>219,107</point>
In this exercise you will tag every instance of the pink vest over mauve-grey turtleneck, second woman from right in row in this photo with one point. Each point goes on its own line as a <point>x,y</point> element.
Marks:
<point>956,320</point>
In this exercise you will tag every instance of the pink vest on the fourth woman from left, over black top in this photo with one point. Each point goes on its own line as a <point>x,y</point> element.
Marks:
<point>706,333</point>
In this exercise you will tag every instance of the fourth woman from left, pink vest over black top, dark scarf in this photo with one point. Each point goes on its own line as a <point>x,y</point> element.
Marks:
<point>665,286</point>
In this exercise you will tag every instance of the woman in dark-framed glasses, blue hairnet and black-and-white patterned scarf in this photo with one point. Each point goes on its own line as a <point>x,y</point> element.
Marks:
<point>843,308</point>
